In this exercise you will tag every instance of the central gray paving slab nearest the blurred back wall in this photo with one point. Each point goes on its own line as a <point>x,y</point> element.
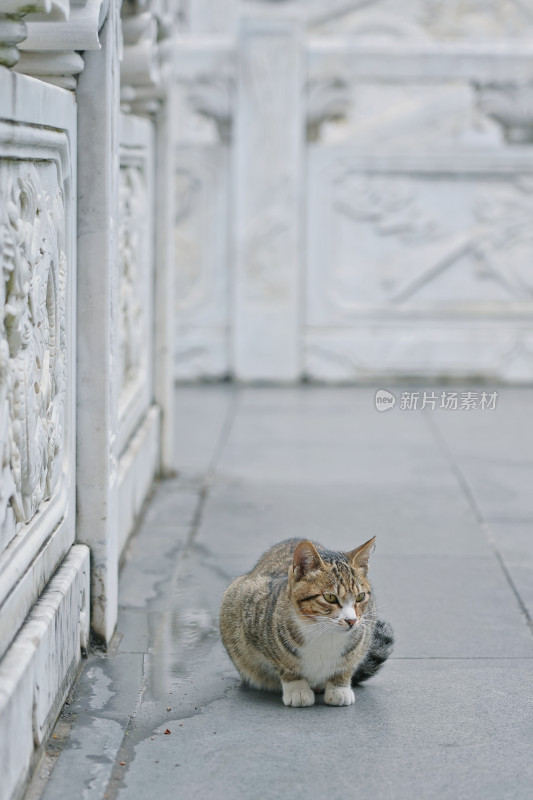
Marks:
<point>312,447</point>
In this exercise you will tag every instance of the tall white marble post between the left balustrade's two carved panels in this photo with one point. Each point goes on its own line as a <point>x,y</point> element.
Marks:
<point>98,119</point>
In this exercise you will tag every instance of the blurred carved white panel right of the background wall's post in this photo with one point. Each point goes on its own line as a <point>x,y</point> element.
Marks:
<point>420,265</point>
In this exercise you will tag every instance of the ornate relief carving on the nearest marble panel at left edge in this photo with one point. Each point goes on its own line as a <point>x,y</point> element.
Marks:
<point>32,339</point>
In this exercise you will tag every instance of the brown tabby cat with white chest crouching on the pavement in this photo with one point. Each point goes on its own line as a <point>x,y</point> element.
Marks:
<point>304,621</point>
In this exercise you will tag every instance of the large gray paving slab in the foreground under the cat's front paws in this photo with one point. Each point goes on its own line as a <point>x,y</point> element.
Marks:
<point>429,729</point>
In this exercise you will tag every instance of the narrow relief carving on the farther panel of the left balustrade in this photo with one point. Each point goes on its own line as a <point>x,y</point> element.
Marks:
<point>133,204</point>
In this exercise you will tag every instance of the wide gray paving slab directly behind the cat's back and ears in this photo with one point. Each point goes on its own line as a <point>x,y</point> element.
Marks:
<point>242,519</point>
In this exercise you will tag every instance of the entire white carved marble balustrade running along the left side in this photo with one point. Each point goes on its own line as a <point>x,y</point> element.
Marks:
<point>86,348</point>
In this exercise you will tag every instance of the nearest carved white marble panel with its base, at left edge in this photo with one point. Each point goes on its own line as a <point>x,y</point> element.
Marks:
<point>44,576</point>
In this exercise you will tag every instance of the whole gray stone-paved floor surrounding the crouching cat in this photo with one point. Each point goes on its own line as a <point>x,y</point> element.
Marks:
<point>449,495</point>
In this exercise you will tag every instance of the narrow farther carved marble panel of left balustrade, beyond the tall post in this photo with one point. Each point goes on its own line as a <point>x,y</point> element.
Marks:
<point>138,438</point>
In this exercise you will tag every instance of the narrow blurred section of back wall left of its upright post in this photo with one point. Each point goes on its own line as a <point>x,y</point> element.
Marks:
<point>203,99</point>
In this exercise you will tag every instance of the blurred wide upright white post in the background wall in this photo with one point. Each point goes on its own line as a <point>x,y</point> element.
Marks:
<point>268,151</point>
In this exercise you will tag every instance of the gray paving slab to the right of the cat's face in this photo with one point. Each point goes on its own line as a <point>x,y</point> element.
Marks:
<point>446,607</point>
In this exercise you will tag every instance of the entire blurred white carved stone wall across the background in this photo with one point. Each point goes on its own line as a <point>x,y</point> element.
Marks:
<point>352,190</point>
